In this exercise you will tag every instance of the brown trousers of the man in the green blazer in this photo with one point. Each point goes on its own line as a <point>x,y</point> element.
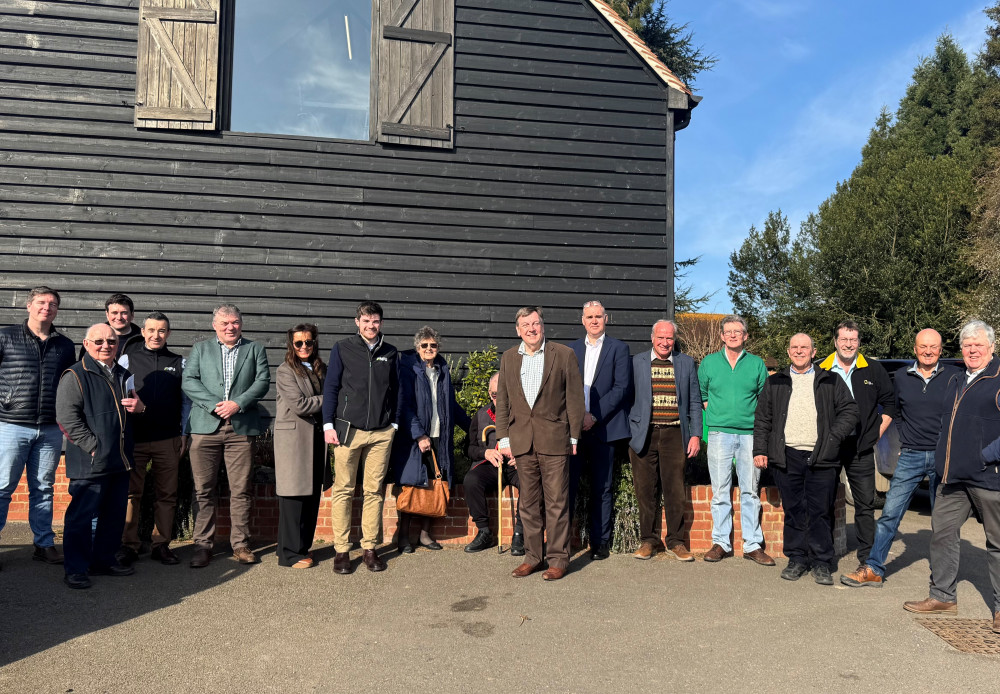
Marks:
<point>207,454</point>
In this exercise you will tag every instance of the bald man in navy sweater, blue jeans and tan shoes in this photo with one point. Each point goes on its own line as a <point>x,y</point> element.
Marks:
<point>920,404</point>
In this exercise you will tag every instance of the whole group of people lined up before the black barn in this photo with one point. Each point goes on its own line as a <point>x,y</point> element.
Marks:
<point>556,413</point>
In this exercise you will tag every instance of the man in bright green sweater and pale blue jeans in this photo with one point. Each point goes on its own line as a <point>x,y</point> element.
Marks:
<point>731,379</point>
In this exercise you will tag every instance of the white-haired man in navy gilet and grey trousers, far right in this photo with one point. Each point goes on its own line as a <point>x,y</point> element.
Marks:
<point>968,467</point>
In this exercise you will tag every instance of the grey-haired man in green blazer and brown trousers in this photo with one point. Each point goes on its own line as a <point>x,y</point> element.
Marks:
<point>225,378</point>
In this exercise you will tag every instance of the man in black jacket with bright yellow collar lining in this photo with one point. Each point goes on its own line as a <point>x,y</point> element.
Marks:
<point>871,388</point>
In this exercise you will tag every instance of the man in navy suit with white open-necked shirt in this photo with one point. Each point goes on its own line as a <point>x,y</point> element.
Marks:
<point>607,377</point>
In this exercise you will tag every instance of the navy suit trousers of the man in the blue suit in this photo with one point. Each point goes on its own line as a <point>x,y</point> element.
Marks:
<point>596,458</point>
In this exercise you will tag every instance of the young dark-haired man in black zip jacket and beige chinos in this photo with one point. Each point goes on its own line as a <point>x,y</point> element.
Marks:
<point>359,420</point>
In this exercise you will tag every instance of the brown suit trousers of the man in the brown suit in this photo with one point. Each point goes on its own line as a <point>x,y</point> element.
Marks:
<point>545,484</point>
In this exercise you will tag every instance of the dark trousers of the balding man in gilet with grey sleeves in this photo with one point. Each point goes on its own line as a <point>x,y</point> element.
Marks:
<point>104,498</point>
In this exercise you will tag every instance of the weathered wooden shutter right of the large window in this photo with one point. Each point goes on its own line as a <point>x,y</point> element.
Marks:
<point>416,72</point>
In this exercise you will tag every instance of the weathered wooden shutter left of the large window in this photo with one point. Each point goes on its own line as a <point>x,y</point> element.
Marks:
<point>178,64</point>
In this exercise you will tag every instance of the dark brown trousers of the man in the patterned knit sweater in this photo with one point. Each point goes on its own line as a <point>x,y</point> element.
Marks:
<point>659,469</point>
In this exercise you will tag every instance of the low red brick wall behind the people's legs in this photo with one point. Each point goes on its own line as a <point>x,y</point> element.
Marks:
<point>457,528</point>
